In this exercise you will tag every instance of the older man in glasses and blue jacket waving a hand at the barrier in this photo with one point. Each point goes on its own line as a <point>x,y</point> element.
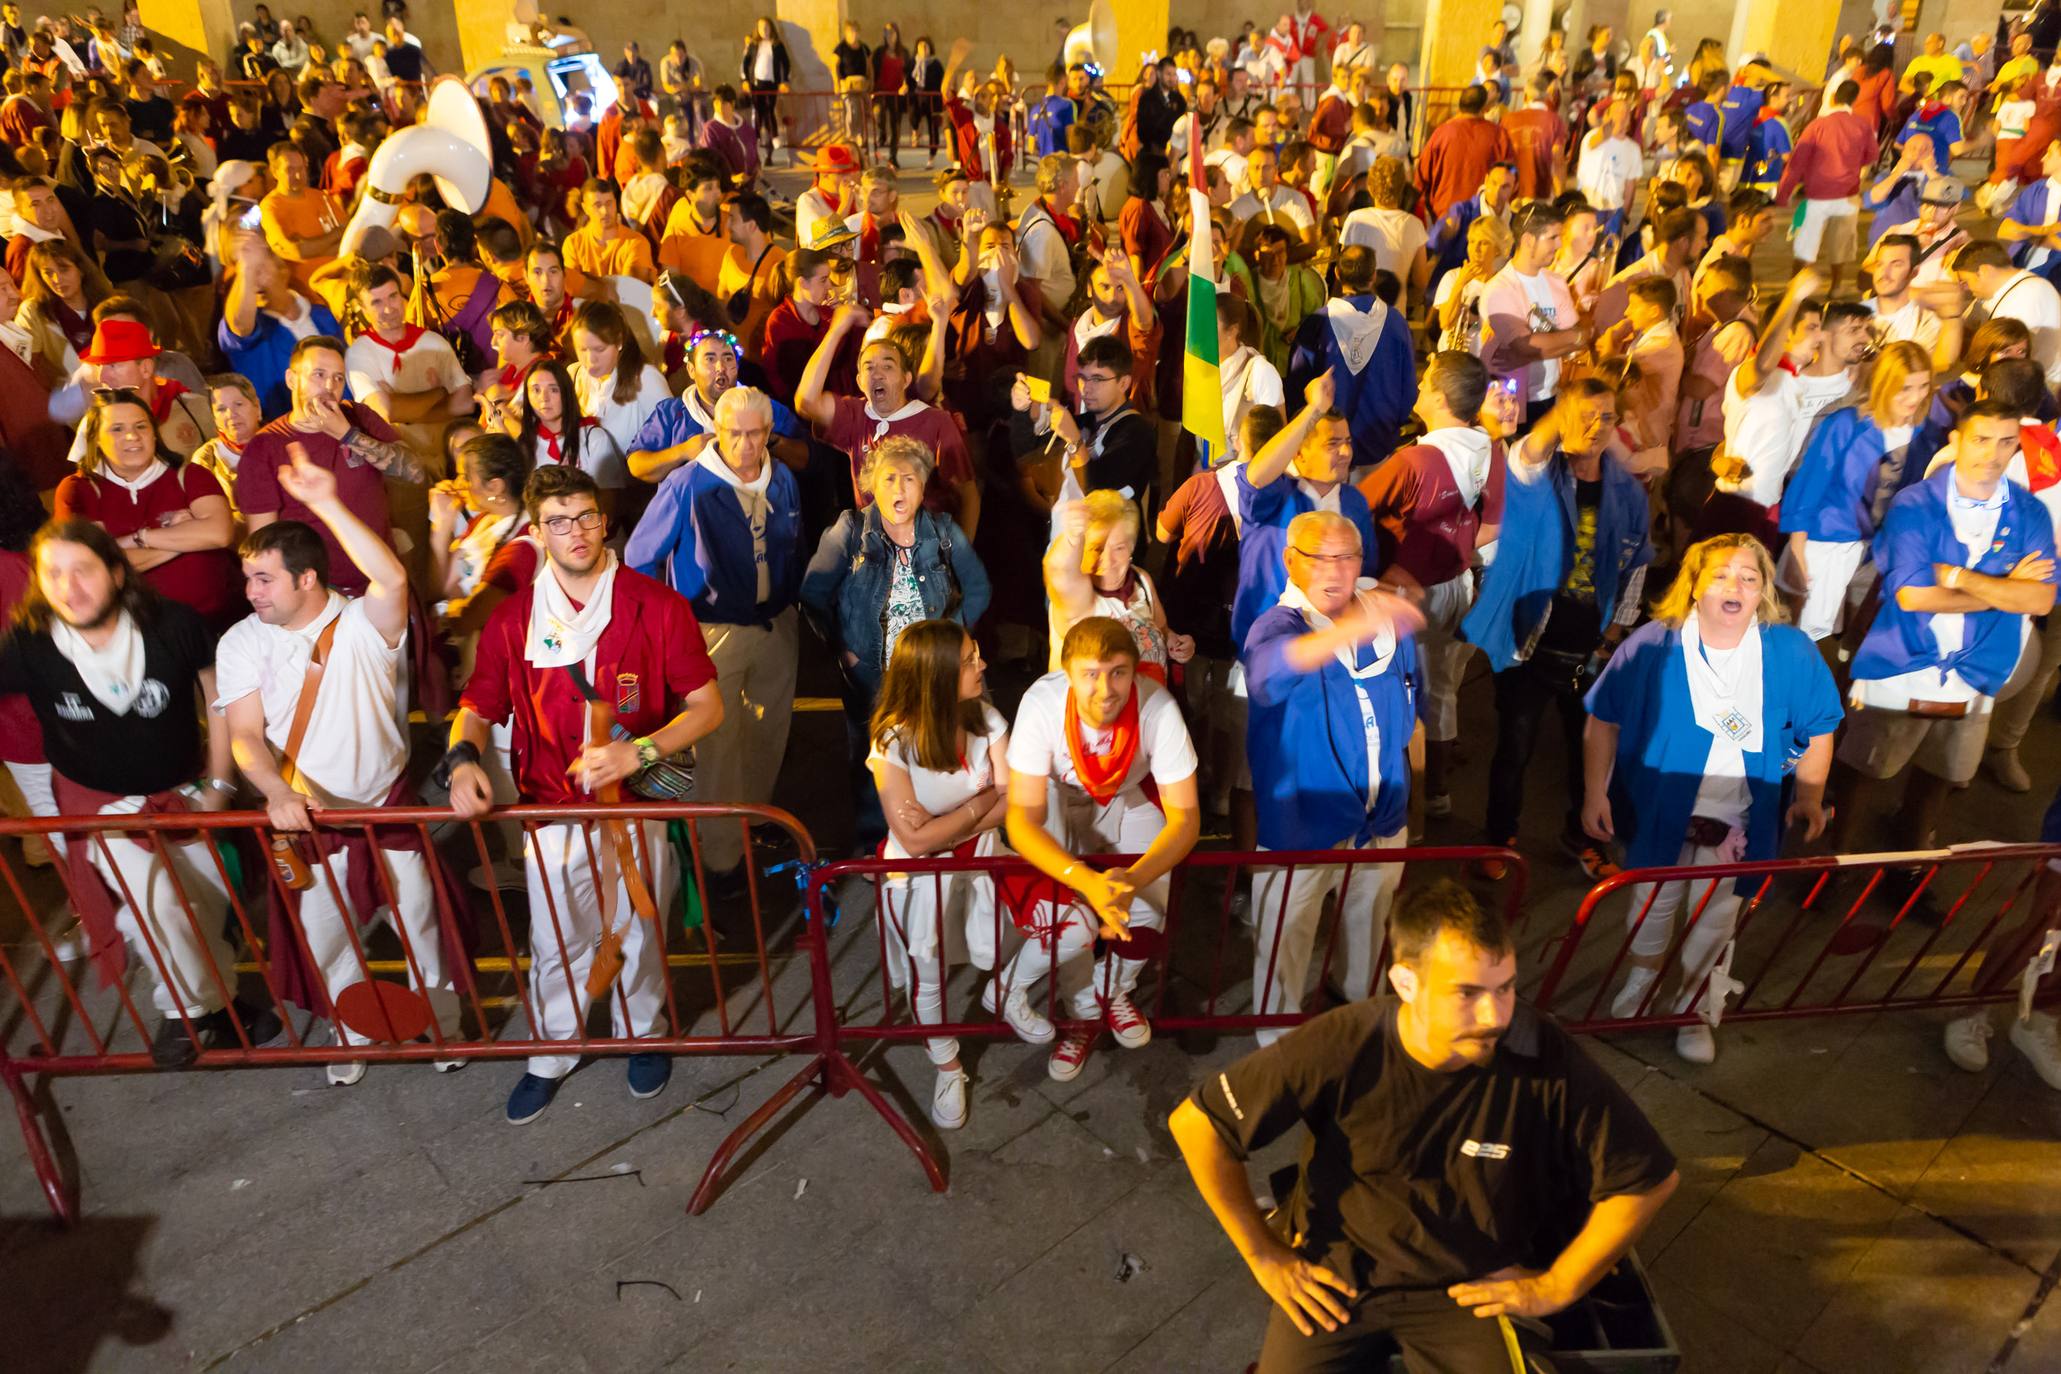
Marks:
<point>1334,734</point>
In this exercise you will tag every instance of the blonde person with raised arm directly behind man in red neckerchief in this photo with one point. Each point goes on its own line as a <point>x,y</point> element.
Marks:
<point>1089,572</point>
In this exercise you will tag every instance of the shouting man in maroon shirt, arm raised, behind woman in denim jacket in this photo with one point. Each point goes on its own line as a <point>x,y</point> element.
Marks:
<point>856,423</point>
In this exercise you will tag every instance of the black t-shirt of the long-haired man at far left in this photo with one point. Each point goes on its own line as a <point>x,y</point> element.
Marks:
<point>156,745</point>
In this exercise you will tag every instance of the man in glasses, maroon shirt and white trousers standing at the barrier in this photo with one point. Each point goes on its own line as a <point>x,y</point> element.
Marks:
<point>586,629</point>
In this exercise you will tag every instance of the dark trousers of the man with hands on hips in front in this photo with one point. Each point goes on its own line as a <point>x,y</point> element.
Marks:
<point>1435,1334</point>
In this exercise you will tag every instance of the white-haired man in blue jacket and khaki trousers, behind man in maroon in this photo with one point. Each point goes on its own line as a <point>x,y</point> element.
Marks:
<point>727,533</point>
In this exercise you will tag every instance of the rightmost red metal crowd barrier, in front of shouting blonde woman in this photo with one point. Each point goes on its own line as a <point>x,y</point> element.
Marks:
<point>1932,930</point>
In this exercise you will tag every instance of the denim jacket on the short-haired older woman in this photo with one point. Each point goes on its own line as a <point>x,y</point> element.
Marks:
<point>848,582</point>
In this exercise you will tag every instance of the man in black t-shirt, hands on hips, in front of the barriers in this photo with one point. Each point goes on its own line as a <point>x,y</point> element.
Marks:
<point>1458,1140</point>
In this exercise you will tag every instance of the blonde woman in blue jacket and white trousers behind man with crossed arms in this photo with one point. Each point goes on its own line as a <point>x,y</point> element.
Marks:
<point>1846,479</point>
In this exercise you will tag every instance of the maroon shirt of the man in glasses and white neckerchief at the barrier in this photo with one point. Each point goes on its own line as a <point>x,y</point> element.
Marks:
<point>646,664</point>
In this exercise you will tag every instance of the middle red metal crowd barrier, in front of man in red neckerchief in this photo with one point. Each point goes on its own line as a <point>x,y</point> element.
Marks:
<point>1201,965</point>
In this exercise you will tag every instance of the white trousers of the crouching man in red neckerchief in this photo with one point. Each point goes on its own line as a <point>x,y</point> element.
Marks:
<point>1126,827</point>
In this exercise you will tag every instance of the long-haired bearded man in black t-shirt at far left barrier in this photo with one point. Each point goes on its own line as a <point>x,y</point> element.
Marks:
<point>112,673</point>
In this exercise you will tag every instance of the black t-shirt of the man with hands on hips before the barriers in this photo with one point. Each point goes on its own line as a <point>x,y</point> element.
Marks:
<point>1419,1179</point>
